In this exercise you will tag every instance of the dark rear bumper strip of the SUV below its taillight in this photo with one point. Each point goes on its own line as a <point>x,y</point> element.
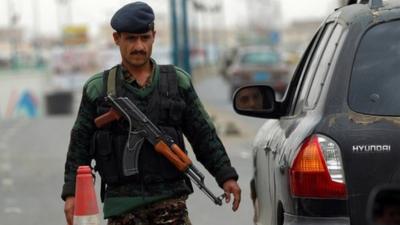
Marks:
<point>302,220</point>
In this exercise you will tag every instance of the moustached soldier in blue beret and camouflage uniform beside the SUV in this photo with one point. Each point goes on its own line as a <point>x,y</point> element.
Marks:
<point>157,195</point>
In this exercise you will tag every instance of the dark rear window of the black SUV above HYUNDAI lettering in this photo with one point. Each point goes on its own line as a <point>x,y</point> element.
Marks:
<point>375,79</point>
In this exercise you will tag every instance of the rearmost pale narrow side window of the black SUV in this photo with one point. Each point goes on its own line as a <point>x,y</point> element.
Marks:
<point>323,67</point>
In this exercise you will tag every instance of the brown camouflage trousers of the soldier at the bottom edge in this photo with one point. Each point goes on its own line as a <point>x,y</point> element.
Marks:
<point>168,212</point>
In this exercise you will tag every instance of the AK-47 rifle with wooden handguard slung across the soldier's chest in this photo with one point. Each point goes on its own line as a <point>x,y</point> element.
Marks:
<point>140,128</point>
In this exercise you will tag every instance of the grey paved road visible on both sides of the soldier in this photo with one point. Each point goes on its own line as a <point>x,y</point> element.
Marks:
<point>32,154</point>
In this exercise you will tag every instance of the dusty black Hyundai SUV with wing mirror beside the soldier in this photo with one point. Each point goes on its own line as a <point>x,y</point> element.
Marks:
<point>336,133</point>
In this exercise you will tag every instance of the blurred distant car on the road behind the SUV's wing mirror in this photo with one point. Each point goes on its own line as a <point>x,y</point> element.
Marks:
<point>258,65</point>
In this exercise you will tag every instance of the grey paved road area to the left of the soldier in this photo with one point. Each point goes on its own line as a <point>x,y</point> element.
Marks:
<point>31,163</point>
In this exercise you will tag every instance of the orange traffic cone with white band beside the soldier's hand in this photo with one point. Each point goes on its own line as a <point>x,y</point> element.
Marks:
<point>86,211</point>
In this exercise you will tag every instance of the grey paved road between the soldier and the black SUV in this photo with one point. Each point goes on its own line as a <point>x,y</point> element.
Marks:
<point>213,91</point>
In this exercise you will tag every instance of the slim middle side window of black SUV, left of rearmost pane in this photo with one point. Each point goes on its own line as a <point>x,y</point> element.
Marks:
<point>312,66</point>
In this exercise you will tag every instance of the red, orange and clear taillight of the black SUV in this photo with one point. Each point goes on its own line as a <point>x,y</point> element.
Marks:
<point>317,170</point>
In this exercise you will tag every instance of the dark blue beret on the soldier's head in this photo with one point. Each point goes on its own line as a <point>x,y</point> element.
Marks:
<point>136,17</point>
